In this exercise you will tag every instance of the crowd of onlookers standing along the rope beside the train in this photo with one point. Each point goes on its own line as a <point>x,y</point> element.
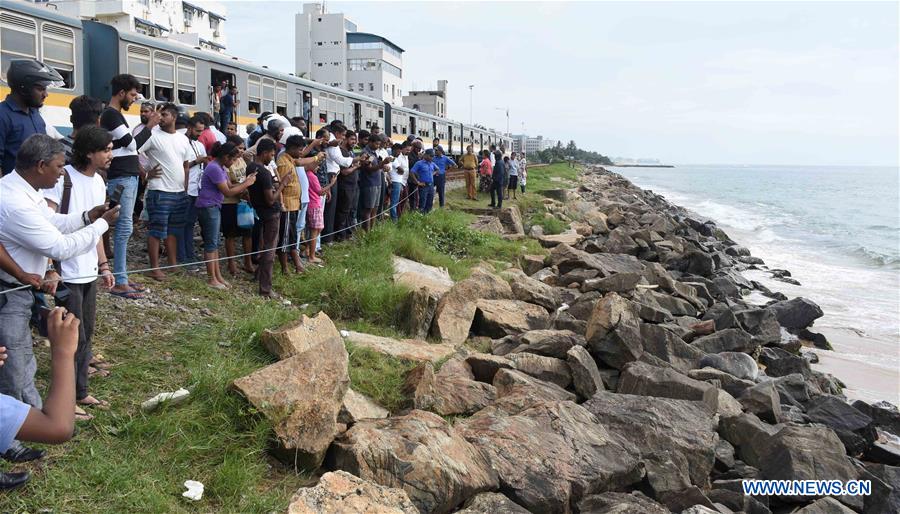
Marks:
<point>68,209</point>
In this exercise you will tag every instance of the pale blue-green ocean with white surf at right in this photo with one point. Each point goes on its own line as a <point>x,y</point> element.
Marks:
<point>836,229</point>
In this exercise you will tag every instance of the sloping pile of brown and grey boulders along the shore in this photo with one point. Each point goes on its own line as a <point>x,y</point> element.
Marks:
<point>626,373</point>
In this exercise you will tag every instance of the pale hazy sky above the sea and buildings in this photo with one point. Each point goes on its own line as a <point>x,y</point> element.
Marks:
<point>808,83</point>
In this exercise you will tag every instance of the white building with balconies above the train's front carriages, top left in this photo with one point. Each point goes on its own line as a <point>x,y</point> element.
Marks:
<point>198,23</point>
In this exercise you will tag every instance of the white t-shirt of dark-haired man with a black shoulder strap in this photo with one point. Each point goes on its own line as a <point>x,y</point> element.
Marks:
<point>87,193</point>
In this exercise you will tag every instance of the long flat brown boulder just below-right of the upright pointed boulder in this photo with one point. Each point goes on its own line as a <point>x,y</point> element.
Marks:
<point>646,380</point>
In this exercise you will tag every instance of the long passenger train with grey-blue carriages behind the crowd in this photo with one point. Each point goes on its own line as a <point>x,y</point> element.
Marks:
<point>88,54</point>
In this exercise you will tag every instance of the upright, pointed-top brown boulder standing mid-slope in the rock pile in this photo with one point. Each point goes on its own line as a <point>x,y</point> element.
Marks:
<point>614,332</point>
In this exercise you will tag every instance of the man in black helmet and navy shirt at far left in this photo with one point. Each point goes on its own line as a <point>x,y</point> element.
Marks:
<point>20,118</point>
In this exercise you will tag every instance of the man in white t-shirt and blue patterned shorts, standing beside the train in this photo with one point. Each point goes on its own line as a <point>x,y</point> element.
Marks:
<point>167,192</point>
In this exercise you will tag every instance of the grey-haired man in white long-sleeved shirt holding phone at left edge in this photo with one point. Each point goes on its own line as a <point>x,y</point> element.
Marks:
<point>32,234</point>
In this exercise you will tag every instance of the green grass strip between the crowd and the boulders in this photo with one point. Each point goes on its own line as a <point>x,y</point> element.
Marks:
<point>188,335</point>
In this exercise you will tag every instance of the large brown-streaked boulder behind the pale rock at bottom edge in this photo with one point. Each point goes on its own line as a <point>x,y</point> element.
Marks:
<point>419,453</point>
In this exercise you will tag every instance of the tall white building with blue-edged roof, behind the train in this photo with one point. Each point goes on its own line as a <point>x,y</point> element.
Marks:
<point>331,50</point>
